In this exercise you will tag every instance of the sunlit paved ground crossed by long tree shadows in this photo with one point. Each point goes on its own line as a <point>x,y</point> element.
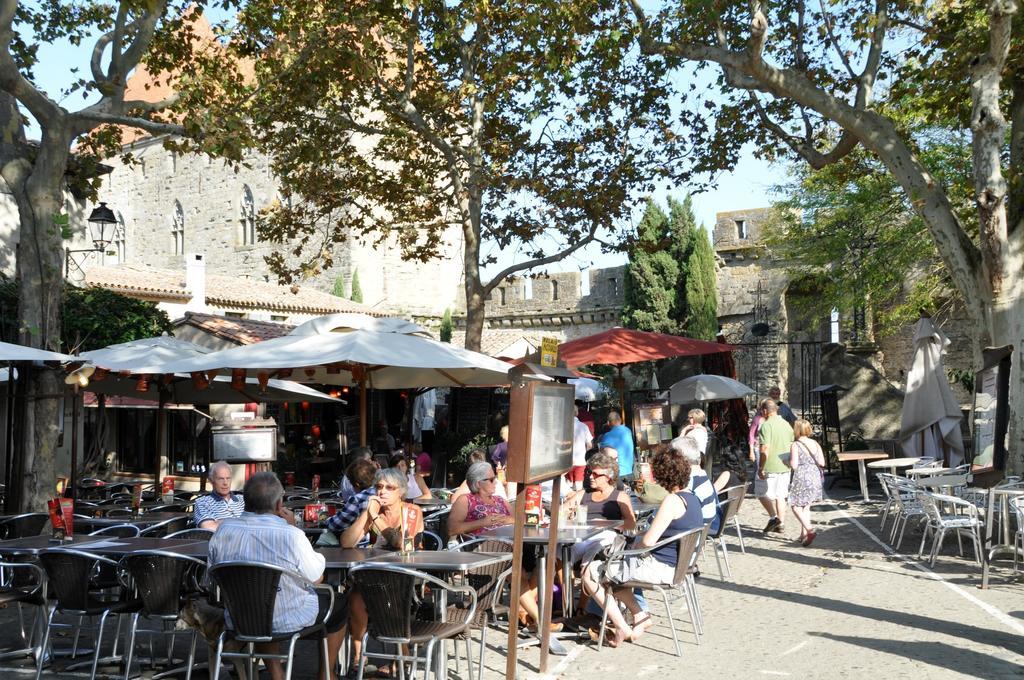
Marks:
<point>846,608</point>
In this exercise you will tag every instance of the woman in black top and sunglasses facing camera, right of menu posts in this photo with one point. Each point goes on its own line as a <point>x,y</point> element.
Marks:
<point>605,501</point>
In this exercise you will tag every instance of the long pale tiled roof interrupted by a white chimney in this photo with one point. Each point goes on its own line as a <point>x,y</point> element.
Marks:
<point>167,286</point>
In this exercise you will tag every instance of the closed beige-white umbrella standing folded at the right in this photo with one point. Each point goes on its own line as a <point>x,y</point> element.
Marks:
<point>930,424</point>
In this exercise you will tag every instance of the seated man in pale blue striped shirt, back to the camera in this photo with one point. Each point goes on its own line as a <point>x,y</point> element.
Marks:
<point>266,533</point>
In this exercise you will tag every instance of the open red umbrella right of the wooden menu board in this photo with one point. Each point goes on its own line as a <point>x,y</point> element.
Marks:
<point>622,346</point>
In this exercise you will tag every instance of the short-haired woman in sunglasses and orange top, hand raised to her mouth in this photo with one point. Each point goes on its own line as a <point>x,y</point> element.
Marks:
<point>390,521</point>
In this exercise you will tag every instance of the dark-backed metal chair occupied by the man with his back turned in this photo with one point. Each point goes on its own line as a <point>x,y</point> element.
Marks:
<point>249,591</point>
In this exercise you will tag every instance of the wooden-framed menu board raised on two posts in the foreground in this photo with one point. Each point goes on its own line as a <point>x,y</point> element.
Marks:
<point>540,432</point>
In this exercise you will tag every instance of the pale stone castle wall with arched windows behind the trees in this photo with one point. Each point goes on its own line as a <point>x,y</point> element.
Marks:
<point>210,194</point>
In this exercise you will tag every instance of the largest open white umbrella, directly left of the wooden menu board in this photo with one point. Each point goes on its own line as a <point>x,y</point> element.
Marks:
<point>348,350</point>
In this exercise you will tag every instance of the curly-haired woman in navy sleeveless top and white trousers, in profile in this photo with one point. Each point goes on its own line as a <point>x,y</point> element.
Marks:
<point>680,512</point>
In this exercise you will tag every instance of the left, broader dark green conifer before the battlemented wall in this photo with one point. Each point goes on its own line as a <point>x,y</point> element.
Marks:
<point>653,277</point>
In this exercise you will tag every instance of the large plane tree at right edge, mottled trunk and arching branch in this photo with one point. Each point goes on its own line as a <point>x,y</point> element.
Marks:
<point>803,79</point>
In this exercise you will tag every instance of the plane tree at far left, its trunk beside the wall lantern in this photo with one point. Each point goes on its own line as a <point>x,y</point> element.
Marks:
<point>36,175</point>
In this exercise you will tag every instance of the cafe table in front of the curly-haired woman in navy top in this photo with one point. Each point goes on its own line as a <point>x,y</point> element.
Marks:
<point>567,536</point>
